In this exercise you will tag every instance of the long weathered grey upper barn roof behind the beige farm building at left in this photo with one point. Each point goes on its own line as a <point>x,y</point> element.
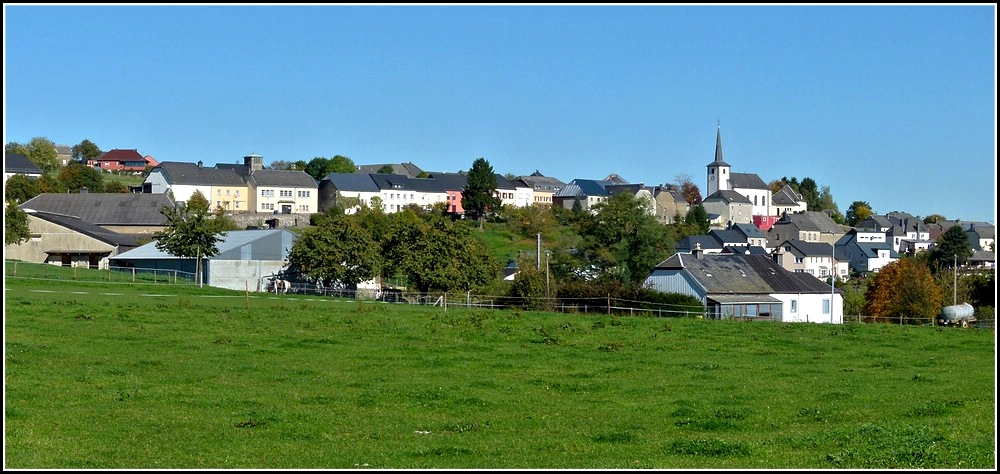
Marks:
<point>105,208</point>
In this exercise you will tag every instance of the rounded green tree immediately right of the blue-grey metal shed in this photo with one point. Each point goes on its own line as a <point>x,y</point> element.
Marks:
<point>339,249</point>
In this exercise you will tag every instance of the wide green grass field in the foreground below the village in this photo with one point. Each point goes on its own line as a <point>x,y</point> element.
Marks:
<point>109,375</point>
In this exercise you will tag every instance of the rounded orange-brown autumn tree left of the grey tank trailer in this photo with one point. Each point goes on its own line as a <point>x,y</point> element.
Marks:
<point>903,292</point>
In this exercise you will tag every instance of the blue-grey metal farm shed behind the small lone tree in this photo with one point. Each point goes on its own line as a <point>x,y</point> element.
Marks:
<point>245,260</point>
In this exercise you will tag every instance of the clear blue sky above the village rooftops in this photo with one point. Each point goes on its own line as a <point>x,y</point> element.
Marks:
<point>892,105</point>
